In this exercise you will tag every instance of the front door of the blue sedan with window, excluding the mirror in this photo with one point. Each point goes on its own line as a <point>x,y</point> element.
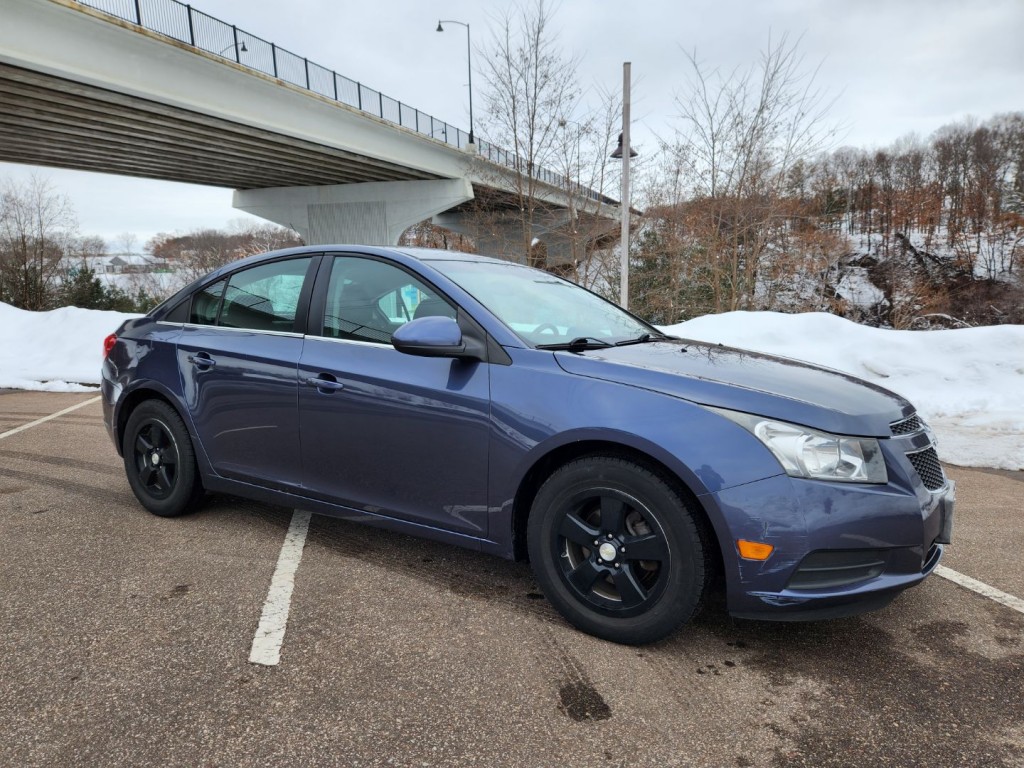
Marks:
<point>383,432</point>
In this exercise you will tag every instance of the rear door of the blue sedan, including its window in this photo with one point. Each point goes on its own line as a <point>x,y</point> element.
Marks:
<point>238,357</point>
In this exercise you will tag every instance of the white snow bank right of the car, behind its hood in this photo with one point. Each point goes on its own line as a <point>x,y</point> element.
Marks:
<point>968,385</point>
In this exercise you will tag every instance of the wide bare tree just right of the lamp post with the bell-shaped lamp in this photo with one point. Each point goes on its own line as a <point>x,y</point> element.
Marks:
<point>737,166</point>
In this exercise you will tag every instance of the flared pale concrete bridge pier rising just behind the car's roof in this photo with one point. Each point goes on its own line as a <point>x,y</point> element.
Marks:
<point>373,214</point>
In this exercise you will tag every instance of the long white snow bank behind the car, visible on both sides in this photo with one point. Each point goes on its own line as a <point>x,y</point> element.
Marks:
<point>968,385</point>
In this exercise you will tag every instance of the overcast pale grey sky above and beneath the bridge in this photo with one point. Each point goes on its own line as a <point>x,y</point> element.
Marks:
<point>895,67</point>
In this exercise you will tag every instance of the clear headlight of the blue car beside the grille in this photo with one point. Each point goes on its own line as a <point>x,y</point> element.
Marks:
<point>807,453</point>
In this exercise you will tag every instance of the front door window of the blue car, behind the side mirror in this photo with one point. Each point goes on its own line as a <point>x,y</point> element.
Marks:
<point>369,301</point>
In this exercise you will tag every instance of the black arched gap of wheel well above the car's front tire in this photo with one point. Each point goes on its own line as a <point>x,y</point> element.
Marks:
<point>543,470</point>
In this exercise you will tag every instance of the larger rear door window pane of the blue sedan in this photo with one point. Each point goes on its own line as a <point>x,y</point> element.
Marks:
<point>265,297</point>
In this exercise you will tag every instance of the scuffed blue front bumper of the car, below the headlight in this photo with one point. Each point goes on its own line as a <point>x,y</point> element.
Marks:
<point>840,549</point>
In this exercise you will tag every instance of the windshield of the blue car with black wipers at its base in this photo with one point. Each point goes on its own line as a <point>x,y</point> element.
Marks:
<point>543,310</point>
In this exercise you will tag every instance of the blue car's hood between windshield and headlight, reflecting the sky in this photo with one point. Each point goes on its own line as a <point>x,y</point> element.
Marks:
<point>752,382</point>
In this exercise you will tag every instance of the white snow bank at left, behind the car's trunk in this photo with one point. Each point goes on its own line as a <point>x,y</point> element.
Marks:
<point>56,352</point>
